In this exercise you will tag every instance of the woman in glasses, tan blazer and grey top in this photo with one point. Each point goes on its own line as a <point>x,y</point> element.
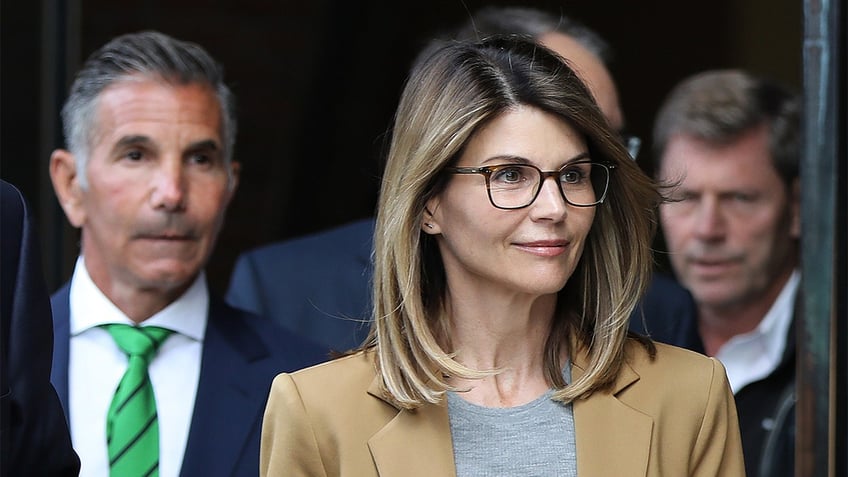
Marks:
<point>512,242</point>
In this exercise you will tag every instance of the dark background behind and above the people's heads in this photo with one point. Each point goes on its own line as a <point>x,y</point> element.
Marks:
<point>317,82</point>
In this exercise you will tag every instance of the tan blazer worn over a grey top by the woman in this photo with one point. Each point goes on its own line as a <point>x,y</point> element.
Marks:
<point>674,416</point>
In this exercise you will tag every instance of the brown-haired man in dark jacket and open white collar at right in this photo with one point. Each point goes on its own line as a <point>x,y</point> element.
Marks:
<point>728,142</point>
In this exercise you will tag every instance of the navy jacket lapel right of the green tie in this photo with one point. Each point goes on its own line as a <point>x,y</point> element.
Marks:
<point>231,396</point>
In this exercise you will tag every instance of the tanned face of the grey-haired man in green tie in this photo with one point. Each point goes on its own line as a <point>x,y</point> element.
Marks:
<point>158,186</point>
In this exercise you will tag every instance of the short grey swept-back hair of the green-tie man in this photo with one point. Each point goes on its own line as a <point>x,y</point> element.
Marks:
<point>142,55</point>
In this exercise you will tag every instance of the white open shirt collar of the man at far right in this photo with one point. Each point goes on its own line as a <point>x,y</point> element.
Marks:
<point>754,355</point>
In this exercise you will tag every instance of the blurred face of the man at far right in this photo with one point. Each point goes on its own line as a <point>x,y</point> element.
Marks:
<point>732,230</point>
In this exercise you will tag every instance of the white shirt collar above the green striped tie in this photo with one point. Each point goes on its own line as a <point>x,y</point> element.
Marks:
<point>90,308</point>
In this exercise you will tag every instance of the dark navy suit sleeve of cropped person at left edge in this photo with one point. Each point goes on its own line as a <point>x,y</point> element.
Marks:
<point>34,434</point>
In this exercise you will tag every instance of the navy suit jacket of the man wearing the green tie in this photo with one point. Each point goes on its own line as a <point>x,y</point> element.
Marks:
<point>242,353</point>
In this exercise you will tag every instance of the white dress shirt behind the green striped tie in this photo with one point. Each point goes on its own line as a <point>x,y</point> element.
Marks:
<point>97,365</point>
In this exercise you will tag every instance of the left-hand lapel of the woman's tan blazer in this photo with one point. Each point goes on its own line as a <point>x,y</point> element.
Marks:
<point>413,444</point>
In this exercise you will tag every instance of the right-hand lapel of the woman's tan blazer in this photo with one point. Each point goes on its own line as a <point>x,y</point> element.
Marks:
<point>612,438</point>
